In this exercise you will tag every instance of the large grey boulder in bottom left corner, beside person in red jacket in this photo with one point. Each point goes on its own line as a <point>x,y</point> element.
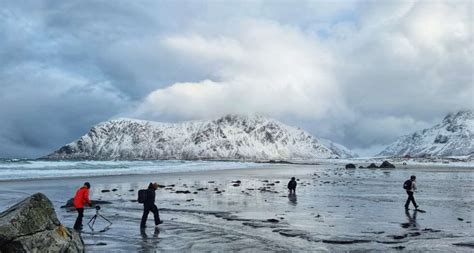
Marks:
<point>32,226</point>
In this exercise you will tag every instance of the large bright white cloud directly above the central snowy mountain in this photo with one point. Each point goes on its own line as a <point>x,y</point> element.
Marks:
<point>262,67</point>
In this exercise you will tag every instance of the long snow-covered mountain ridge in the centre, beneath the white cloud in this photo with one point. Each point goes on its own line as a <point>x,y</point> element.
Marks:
<point>233,137</point>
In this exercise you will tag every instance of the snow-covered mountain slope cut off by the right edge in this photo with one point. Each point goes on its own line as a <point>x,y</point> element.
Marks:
<point>454,136</point>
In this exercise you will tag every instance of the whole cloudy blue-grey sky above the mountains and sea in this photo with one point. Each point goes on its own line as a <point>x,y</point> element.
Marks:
<point>360,73</point>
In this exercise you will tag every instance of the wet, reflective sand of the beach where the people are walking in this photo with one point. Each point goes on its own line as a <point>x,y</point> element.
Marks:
<point>335,209</point>
